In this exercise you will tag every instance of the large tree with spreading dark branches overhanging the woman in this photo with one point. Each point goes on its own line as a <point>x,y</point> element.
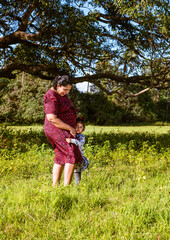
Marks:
<point>49,37</point>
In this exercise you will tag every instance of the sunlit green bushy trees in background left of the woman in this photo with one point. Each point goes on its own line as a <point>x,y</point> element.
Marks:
<point>22,100</point>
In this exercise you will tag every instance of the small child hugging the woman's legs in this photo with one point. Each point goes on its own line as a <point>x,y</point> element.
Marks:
<point>80,141</point>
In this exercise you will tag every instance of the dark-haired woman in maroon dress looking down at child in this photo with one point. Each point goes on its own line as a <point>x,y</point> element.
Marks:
<point>60,121</point>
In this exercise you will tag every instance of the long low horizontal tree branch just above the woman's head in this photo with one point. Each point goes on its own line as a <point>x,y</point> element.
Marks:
<point>49,72</point>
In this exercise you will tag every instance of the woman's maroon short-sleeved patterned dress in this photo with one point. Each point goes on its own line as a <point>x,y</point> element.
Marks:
<point>62,107</point>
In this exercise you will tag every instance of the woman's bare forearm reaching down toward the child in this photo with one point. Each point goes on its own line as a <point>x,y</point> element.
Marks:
<point>60,124</point>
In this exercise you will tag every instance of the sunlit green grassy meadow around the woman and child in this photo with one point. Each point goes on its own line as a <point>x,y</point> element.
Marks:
<point>124,195</point>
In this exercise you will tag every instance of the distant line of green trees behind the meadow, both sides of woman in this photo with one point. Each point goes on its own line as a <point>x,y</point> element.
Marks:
<point>21,102</point>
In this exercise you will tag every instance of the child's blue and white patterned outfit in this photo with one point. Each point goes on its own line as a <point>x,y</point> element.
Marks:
<point>80,141</point>
